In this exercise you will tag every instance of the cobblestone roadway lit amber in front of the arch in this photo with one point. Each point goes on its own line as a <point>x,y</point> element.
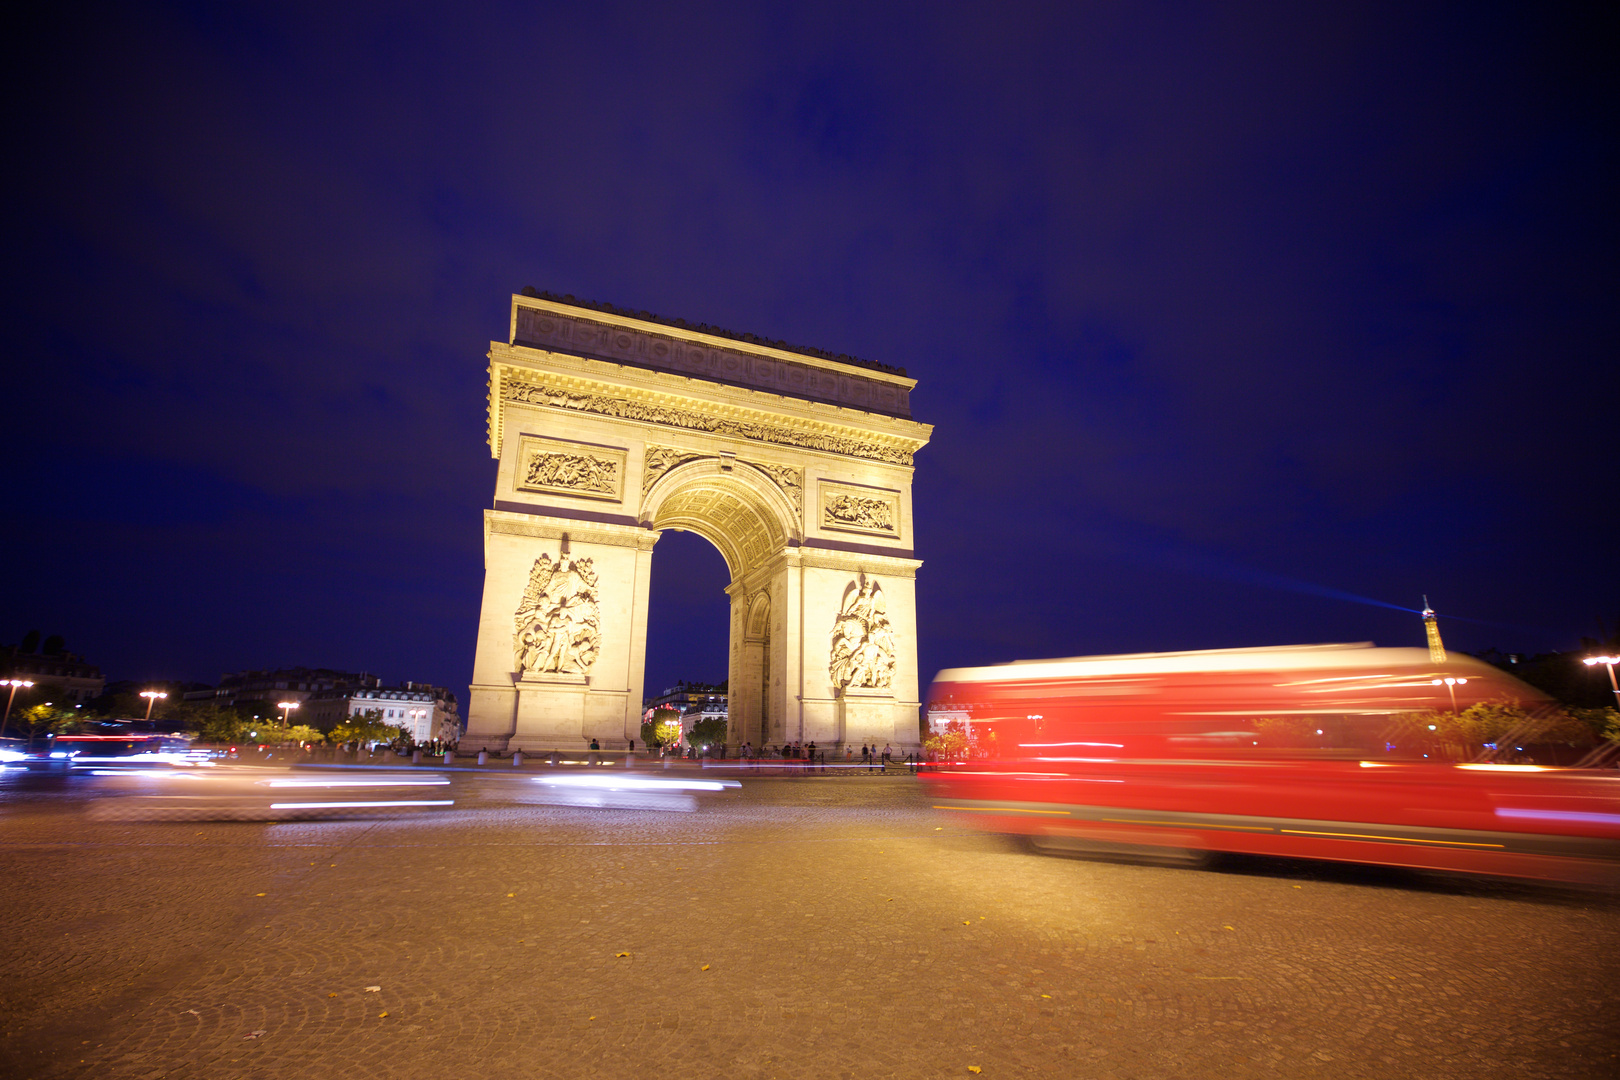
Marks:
<point>798,929</point>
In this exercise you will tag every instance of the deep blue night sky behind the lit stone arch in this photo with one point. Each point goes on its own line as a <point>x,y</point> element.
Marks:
<point>1226,317</point>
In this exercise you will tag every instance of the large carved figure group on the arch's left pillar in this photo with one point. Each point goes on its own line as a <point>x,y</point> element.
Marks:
<point>558,621</point>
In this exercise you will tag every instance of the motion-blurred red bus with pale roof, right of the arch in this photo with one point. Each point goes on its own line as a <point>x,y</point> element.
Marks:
<point>1308,752</point>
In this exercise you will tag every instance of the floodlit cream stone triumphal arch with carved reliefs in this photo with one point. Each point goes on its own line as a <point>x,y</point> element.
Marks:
<point>796,466</point>
